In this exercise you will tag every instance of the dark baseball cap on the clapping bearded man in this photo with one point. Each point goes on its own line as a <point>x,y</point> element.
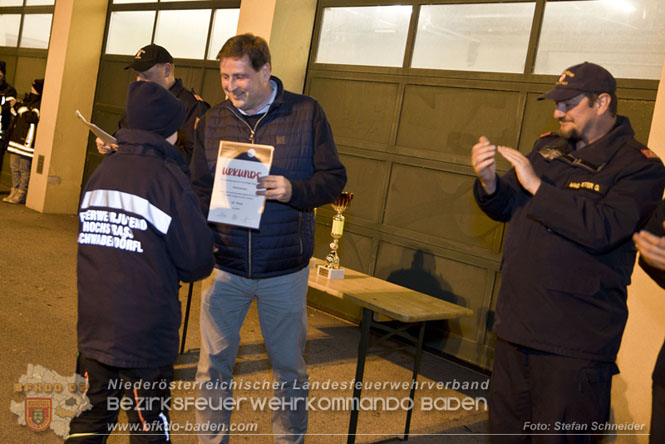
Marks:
<point>583,78</point>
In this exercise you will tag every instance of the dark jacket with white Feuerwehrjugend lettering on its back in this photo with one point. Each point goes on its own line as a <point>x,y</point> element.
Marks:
<point>141,231</point>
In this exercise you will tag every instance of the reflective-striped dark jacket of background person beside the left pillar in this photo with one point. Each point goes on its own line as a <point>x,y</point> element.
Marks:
<point>23,129</point>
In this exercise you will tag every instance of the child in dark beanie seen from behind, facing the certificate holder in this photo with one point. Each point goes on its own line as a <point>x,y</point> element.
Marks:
<point>140,232</point>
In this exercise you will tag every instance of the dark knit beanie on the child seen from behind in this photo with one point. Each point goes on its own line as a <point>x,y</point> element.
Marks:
<point>150,107</point>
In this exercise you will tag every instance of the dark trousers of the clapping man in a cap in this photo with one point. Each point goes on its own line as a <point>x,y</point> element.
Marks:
<point>540,397</point>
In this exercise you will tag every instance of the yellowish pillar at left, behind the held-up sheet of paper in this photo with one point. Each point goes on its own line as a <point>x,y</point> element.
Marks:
<point>71,76</point>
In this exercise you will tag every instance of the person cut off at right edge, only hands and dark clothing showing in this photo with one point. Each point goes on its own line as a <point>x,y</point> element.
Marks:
<point>650,243</point>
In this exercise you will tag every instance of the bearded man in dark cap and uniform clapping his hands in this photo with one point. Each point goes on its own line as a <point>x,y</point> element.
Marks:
<point>573,204</point>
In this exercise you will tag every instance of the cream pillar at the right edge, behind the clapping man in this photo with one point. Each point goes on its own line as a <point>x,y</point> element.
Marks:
<point>645,331</point>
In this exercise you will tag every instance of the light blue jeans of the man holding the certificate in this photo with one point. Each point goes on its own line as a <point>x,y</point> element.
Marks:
<point>281,303</point>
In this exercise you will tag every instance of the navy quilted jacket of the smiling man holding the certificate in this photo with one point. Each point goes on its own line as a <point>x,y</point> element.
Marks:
<point>305,154</point>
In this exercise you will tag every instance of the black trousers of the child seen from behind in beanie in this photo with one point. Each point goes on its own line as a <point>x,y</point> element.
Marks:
<point>146,401</point>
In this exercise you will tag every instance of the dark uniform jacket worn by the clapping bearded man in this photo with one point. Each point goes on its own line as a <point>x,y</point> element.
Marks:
<point>568,254</point>
